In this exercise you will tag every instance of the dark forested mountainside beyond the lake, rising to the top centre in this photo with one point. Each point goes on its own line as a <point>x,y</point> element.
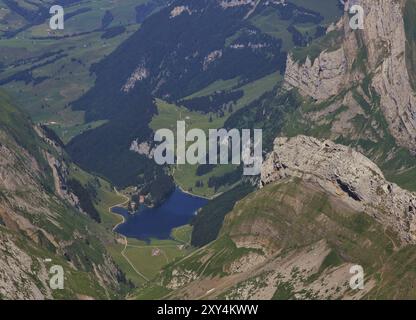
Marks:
<point>177,52</point>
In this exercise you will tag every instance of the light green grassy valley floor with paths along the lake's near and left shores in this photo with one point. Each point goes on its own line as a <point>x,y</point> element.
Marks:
<point>140,261</point>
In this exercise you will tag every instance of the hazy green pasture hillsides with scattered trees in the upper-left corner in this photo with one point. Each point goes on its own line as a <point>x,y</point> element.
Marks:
<point>45,70</point>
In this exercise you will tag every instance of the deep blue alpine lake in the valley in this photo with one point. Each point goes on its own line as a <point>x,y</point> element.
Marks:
<point>158,222</point>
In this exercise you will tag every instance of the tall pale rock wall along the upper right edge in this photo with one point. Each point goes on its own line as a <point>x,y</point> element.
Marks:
<point>385,38</point>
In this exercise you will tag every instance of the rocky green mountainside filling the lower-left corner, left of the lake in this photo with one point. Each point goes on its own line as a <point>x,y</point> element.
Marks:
<point>38,220</point>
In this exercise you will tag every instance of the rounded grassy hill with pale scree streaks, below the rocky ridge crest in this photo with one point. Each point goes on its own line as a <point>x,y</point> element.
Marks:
<point>286,241</point>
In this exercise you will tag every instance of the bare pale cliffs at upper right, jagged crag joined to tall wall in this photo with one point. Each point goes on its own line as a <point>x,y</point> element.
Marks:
<point>377,53</point>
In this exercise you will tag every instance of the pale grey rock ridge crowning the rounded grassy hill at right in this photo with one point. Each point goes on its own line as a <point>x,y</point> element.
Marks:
<point>347,174</point>
